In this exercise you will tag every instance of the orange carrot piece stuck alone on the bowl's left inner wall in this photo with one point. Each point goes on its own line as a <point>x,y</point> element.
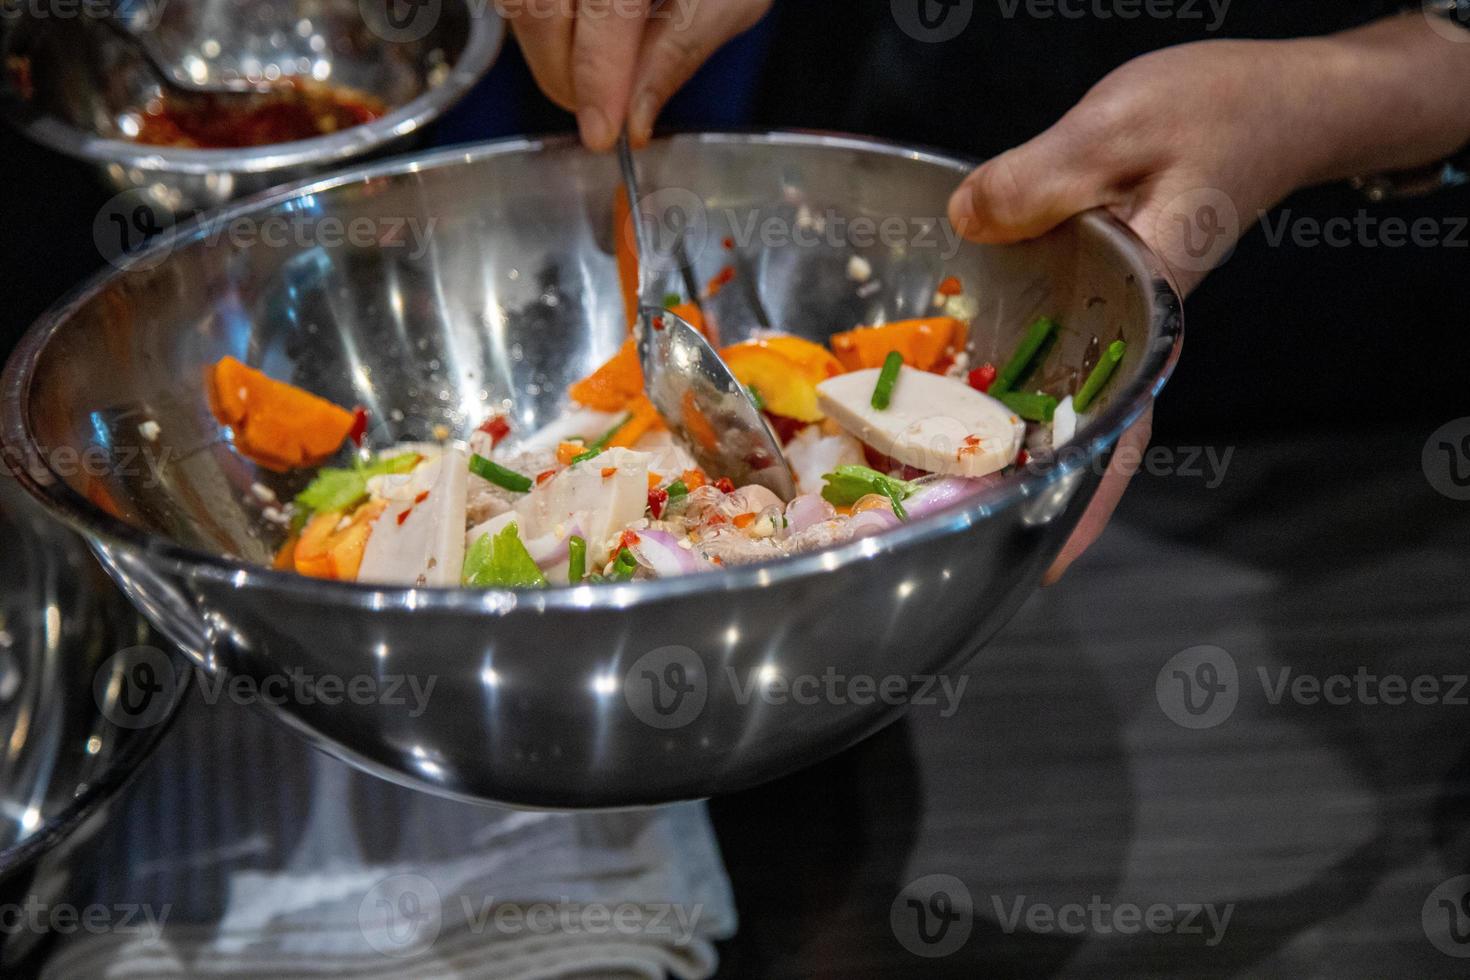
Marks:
<point>279,425</point>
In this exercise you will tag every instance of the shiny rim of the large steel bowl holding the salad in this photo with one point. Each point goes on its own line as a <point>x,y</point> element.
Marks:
<point>1166,339</point>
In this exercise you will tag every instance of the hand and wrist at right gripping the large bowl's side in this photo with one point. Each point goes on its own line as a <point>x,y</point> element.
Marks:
<point>1190,145</point>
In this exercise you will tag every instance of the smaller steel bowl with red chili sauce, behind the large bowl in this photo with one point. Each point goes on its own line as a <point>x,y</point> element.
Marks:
<point>71,84</point>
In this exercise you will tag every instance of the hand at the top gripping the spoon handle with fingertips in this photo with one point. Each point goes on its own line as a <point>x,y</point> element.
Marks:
<point>621,61</point>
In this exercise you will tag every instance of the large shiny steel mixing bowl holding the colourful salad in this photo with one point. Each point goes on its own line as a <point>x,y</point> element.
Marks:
<point>587,697</point>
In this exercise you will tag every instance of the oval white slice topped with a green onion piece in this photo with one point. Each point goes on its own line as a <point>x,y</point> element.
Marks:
<point>933,422</point>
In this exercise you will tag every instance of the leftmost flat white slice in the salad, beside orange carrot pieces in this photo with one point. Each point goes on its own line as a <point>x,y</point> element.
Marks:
<point>420,538</point>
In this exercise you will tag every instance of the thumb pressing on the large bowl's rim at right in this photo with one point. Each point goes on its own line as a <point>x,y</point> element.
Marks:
<point>1031,190</point>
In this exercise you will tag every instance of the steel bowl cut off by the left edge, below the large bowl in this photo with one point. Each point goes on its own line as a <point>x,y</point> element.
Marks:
<point>73,731</point>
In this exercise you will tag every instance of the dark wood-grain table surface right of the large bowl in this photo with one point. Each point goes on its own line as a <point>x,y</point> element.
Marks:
<point>1062,788</point>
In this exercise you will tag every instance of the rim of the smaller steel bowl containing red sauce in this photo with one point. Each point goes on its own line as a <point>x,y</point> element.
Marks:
<point>483,46</point>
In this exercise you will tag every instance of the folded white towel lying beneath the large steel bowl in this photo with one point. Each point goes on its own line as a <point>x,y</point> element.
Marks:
<point>243,853</point>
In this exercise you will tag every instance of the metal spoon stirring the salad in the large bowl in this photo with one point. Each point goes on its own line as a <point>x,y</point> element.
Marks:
<point>690,384</point>
